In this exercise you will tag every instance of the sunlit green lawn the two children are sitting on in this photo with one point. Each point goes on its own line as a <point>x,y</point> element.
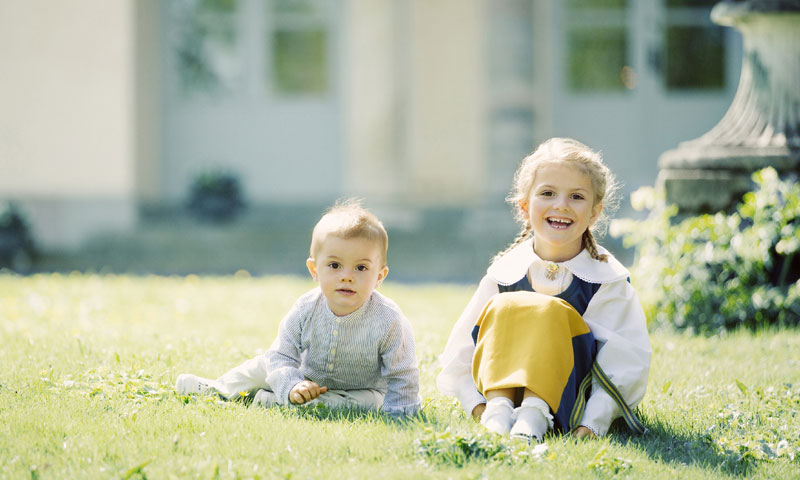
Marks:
<point>87,364</point>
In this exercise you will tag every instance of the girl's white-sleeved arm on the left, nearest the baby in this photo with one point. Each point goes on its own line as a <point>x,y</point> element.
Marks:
<point>455,378</point>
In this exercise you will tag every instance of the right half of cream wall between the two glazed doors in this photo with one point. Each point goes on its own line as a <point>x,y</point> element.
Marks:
<point>446,126</point>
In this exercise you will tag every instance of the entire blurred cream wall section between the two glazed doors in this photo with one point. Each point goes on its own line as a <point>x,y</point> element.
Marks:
<point>414,101</point>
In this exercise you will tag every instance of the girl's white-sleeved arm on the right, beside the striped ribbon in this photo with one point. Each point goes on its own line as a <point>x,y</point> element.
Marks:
<point>618,323</point>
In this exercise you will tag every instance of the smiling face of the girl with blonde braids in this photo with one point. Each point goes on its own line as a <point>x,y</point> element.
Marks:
<point>560,207</point>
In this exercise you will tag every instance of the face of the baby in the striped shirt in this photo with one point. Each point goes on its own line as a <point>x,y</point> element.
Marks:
<point>348,271</point>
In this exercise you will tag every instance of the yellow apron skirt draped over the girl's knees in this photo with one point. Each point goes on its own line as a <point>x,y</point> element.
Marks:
<point>526,339</point>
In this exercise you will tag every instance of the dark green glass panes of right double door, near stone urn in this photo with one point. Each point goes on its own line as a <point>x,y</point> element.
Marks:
<point>684,49</point>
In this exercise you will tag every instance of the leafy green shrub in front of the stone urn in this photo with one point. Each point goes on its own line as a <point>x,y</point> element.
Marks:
<point>713,273</point>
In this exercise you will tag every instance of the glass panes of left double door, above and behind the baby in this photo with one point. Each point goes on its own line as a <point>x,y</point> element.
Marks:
<point>221,47</point>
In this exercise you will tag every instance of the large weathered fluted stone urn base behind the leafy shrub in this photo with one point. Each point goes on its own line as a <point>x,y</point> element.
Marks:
<point>762,125</point>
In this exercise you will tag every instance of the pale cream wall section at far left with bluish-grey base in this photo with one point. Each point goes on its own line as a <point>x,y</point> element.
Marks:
<point>67,118</point>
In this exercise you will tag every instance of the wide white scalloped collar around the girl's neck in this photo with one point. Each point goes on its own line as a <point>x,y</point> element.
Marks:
<point>512,266</point>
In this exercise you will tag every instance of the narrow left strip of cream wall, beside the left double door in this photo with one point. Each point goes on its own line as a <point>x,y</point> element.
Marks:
<point>374,81</point>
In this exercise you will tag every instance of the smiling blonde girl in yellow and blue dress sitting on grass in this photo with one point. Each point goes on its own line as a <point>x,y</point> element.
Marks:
<point>554,336</point>
